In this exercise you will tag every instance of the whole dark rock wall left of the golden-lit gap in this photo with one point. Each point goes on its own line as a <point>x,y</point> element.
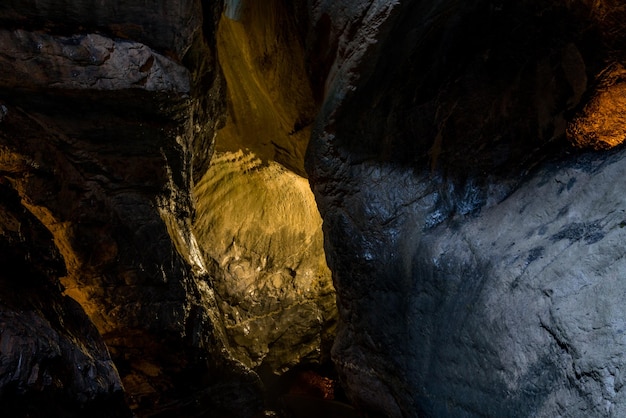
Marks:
<point>107,109</point>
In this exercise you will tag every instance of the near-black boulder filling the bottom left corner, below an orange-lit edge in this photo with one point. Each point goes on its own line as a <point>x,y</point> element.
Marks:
<point>50,353</point>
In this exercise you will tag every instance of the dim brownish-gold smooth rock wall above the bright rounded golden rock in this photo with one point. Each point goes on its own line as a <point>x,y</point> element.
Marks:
<point>270,101</point>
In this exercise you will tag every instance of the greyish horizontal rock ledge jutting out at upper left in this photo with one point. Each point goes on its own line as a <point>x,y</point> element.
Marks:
<point>88,61</point>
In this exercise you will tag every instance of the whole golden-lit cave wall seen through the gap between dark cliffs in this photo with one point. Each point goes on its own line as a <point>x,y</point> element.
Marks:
<point>257,222</point>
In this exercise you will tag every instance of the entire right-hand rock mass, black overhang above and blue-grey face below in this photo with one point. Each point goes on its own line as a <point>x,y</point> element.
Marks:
<point>475,253</point>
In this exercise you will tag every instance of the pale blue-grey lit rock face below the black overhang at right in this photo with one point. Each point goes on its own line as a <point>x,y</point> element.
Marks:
<point>514,311</point>
